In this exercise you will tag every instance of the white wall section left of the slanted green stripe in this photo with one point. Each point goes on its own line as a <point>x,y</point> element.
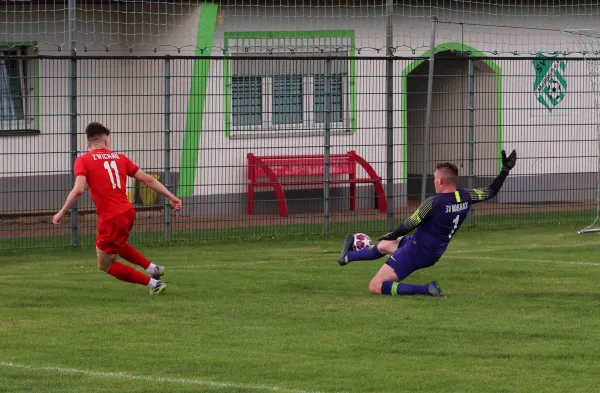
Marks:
<point>125,95</point>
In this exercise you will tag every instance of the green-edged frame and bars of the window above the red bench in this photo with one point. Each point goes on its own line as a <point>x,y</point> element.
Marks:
<point>309,125</point>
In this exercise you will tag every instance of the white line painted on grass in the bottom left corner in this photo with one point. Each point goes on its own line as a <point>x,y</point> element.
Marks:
<point>148,378</point>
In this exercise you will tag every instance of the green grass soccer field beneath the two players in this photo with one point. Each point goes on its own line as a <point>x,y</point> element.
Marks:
<point>521,315</point>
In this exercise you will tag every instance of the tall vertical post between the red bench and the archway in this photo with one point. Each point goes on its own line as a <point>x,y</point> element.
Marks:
<point>390,117</point>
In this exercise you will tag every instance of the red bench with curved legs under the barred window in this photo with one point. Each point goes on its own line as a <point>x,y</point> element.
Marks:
<point>279,171</point>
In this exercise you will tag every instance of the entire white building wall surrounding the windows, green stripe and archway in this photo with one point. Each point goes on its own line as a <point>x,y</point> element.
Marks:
<point>115,93</point>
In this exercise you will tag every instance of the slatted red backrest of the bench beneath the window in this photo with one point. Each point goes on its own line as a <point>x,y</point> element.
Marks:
<point>296,166</point>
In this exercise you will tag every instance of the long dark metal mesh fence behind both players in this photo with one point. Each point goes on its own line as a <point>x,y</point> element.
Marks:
<point>289,146</point>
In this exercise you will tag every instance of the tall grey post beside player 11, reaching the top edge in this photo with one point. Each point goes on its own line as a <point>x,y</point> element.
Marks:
<point>73,117</point>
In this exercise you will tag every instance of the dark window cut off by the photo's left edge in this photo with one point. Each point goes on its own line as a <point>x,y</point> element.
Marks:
<point>17,81</point>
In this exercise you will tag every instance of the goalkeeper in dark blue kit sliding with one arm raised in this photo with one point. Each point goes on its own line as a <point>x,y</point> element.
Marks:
<point>436,222</point>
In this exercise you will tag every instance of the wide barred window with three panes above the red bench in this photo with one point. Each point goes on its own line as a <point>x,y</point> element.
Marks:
<point>288,94</point>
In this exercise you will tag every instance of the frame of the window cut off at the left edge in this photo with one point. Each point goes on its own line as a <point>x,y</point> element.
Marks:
<point>28,68</point>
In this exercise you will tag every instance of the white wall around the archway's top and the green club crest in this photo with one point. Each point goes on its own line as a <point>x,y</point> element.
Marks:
<point>559,142</point>
